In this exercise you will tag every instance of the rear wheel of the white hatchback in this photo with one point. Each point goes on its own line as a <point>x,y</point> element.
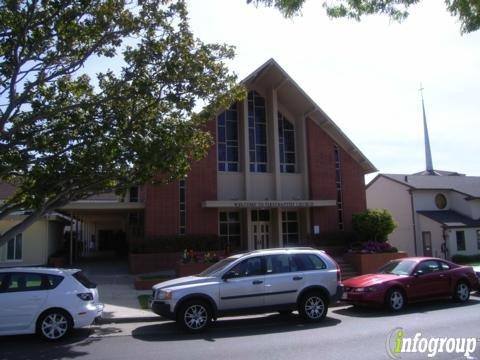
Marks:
<point>54,325</point>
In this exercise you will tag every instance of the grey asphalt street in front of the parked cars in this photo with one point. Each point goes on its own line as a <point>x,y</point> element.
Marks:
<point>346,333</point>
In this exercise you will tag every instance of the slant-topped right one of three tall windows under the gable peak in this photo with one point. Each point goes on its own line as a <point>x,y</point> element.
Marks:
<point>286,141</point>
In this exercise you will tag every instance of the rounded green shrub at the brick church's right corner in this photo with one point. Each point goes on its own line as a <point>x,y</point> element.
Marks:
<point>373,225</point>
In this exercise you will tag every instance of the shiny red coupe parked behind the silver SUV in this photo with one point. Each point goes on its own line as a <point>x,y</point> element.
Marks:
<point>409,280</point>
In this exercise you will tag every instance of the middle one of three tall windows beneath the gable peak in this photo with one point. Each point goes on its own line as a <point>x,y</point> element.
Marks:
<point>257,132</point>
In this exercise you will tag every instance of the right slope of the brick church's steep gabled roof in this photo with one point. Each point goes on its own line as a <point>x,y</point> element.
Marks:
<point>273,74</point>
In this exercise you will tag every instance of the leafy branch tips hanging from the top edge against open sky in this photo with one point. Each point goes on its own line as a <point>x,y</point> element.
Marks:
<point>468,11</point>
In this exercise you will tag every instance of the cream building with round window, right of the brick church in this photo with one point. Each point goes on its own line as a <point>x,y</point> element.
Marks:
<point>437,215</point>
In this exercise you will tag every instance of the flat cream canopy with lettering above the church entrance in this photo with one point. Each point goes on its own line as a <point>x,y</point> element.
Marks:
<point>266,204</point>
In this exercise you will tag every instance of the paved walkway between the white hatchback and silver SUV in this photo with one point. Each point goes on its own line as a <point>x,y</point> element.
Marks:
<point>116,291</point>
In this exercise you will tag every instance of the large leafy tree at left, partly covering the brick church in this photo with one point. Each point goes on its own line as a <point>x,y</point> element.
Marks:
<point>65,136</point>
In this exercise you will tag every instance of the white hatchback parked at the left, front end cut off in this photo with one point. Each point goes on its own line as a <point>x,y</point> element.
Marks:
<point>46,301</point>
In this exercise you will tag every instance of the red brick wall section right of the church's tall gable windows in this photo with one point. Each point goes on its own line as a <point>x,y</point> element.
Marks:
<point>321,172</point>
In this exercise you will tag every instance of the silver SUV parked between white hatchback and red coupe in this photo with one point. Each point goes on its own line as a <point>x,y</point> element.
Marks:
<point>260,281</point>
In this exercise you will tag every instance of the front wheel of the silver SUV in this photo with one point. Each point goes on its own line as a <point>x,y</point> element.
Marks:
<point>194,316</point>
